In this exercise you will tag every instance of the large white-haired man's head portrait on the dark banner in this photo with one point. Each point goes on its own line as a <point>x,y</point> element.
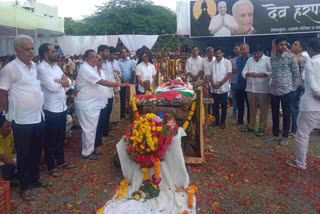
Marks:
<point>242,11</point>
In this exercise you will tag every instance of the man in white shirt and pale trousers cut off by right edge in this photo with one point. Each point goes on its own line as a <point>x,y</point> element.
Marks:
<point>309,114</point>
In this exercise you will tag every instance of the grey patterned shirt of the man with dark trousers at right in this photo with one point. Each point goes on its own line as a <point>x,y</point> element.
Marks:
<point>285,74</point>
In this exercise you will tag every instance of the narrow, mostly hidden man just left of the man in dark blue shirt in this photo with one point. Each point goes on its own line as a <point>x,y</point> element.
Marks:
<point>233,79</point>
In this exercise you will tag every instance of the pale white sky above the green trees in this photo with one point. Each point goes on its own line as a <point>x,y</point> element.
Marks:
<point>77,9</point>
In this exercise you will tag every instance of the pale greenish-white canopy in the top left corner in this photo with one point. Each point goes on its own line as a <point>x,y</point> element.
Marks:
<point>16,20</point>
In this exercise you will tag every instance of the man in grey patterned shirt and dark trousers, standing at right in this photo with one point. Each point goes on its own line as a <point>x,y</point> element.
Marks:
<point>285,73</point>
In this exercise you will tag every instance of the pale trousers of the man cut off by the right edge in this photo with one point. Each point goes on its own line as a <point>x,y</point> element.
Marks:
<point>306,121</point>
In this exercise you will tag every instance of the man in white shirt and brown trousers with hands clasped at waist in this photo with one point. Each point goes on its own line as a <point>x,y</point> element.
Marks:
<point>257,71</point>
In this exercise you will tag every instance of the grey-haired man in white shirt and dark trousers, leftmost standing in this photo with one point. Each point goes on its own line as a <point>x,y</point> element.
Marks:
<point>21,97</point>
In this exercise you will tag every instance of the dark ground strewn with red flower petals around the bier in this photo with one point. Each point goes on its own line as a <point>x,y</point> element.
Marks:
<point>242,174</point>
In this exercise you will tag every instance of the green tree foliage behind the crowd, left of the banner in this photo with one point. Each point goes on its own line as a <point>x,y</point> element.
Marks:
<point>125,17</point>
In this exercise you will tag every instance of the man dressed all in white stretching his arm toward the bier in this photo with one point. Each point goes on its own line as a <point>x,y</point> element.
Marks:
<point>90,100</point>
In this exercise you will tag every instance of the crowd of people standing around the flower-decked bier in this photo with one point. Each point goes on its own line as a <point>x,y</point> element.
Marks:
<point>43,97</point>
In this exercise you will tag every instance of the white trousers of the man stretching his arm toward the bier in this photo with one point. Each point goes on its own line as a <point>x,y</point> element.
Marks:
<point>88,119</point>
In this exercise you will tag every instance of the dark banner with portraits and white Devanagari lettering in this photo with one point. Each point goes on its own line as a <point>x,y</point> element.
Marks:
<point>252,18</point>
